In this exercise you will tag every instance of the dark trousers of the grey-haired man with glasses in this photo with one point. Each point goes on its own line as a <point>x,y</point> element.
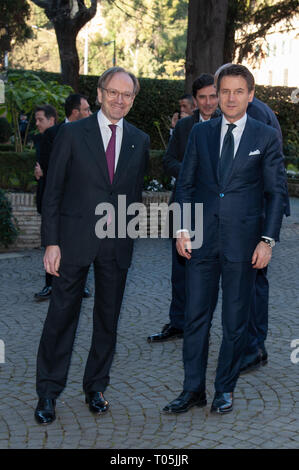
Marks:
<point>60,326</point>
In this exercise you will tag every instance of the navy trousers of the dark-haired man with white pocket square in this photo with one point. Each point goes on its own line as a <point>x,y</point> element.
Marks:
<point>202,285</point>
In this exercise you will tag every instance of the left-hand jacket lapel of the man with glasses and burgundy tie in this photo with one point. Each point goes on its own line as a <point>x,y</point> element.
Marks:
<point>95,144</point>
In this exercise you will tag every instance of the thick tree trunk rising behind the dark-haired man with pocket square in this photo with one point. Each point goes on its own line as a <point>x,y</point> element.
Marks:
<point>205,38</point>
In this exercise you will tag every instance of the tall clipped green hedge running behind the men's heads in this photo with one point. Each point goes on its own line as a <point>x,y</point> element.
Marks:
<point>158,99</point>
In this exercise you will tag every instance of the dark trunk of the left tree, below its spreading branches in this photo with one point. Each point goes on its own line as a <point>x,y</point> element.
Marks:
<point>66,39</point>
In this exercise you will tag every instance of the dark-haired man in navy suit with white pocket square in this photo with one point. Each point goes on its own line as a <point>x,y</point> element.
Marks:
<point>231,165</point>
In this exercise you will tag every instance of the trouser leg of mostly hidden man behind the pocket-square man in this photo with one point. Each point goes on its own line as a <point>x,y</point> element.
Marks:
<point>258,319</point>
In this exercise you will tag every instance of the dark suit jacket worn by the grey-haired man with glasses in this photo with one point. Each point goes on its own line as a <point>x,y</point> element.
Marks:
<point>78,180</point>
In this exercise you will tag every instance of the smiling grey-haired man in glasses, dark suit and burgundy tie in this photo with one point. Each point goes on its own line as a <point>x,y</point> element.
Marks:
<point>94,160</point>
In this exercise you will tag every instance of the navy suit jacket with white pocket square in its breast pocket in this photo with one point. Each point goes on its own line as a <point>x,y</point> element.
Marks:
<point>233,216</point>
